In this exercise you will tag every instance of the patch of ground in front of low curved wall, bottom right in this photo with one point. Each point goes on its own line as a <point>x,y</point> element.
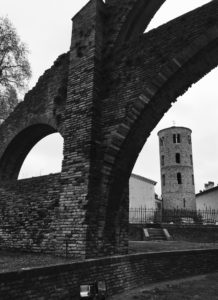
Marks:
<point>195,288</point>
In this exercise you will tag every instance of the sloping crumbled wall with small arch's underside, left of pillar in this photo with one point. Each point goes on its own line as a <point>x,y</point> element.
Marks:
<point>44,104</point>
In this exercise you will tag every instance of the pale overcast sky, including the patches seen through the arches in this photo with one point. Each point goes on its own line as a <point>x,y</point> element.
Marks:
<point>45,26</point>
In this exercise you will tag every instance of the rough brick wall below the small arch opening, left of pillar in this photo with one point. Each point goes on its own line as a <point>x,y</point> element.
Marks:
<point>29,212</point>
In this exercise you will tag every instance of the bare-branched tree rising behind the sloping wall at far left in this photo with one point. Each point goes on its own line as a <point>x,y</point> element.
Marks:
<point>14,65</point>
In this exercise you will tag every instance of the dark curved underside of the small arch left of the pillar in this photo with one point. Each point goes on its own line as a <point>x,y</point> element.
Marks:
<point>18,148</point>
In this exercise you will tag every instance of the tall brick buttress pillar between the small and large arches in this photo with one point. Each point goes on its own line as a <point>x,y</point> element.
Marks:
<point>80,172</point>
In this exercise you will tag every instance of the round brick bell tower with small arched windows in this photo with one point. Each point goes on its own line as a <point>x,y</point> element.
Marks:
<point>176,164</point>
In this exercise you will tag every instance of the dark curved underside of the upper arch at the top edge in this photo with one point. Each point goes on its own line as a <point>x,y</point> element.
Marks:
<point>138,19</point>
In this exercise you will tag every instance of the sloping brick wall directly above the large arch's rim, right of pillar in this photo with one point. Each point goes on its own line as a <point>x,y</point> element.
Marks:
<point>136,63</point>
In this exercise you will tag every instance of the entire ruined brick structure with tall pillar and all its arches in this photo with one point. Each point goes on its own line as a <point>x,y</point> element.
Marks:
<point>104,97</point>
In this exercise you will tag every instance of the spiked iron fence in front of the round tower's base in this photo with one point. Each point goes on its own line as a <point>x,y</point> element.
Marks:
<point>144,215</point>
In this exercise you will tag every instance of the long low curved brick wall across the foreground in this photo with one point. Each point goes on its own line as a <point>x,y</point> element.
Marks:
<point>121,273</point>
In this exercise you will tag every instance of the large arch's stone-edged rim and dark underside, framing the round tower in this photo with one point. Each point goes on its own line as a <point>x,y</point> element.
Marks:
<point>185,69</point>
